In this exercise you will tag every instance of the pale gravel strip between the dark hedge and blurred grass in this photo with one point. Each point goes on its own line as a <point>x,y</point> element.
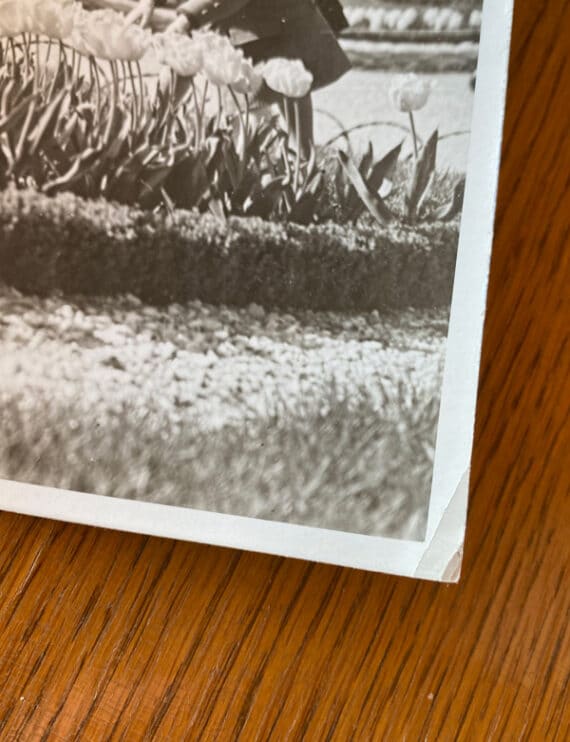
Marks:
<point>217,365</point>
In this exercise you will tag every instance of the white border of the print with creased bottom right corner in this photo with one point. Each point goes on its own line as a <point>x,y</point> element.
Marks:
<point>438,557</point>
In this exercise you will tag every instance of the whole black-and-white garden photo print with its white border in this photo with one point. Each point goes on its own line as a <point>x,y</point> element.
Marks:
<point>244,249</point>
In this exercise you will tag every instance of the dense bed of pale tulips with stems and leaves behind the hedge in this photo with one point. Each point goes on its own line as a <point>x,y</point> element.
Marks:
<point>76,115</point>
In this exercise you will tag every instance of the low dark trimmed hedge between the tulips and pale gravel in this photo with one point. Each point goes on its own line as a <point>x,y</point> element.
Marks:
<point>67,244</point>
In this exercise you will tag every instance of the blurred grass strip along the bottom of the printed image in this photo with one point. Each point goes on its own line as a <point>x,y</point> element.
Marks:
<point>331,462</point>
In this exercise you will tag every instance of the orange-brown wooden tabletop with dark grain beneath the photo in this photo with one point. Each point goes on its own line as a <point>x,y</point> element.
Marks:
<point>111,636</point>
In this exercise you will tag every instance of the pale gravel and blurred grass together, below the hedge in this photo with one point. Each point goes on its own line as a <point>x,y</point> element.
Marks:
<point>302,418</point>
